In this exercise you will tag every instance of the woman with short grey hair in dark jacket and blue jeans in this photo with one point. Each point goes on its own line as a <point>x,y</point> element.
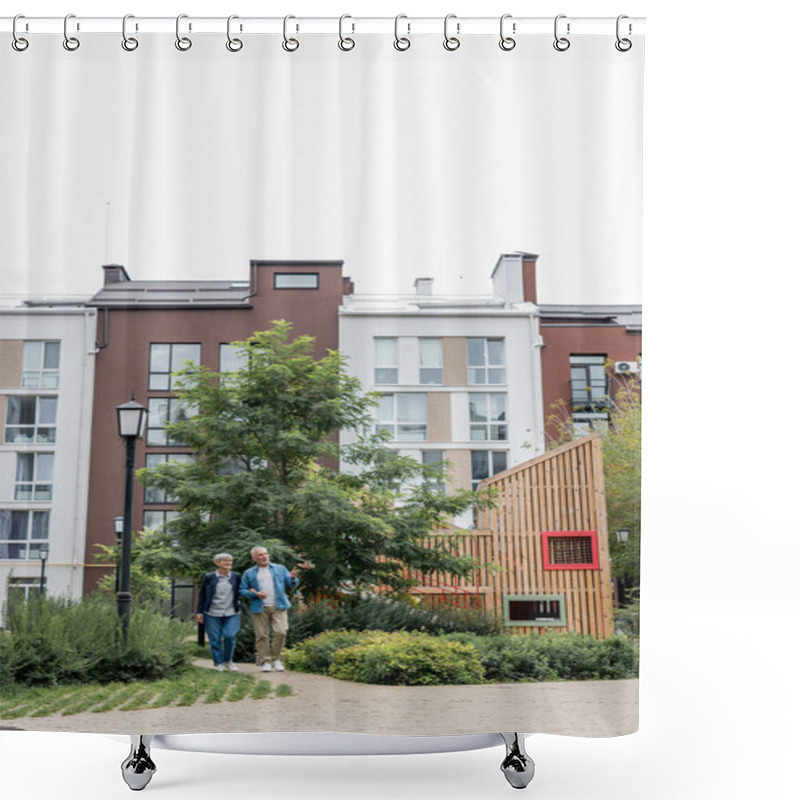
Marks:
<point>218,609</point>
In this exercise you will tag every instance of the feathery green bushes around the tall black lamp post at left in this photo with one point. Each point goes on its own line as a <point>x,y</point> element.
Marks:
<point>55,641</point>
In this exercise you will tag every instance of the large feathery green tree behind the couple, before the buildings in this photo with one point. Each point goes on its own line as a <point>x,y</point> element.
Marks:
<point>266,450</point>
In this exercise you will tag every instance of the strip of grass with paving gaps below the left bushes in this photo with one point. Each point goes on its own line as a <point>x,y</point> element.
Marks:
<point>193,686</point>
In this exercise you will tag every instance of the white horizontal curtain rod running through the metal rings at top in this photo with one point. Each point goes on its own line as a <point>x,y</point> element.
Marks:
<point>347,24</point>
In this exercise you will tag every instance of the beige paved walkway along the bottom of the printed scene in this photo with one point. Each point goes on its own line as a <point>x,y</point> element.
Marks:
<point>320,703</point>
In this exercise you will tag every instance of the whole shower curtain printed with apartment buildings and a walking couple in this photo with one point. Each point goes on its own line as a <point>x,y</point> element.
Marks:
<point>454,206</point>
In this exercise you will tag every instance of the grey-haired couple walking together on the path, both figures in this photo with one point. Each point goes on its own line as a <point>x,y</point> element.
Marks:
<point>266,585</point>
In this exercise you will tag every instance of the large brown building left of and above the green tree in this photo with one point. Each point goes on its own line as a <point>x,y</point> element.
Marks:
<point>147,329</point>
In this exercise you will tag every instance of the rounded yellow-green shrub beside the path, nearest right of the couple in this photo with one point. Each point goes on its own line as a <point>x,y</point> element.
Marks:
<point>408,659</point>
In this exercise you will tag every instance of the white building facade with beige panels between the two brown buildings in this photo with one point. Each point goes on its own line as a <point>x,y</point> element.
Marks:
<point>459,376</point>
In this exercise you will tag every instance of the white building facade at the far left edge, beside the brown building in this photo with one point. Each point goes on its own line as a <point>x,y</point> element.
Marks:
<point>46,388</point>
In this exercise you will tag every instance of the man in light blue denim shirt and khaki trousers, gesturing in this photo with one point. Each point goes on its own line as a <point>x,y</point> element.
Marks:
<point>266,585</point>
